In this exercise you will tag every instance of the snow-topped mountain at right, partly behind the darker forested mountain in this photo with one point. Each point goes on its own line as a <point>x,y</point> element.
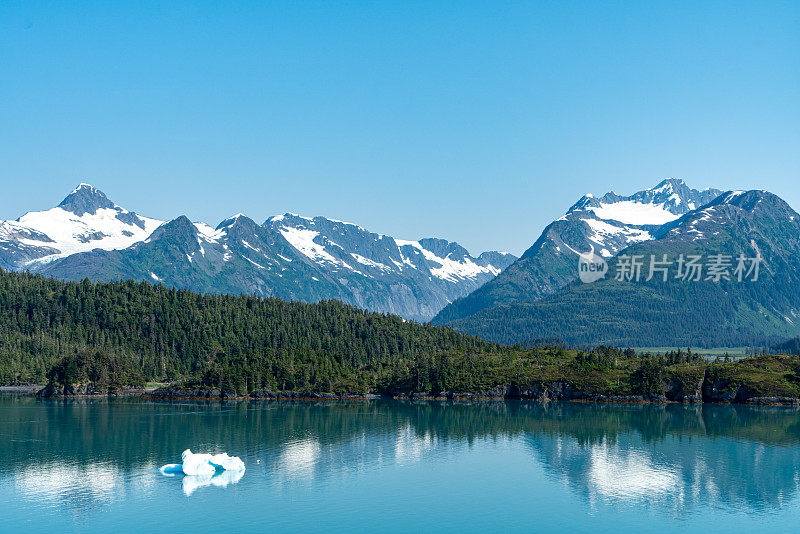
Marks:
<point>604,225</point>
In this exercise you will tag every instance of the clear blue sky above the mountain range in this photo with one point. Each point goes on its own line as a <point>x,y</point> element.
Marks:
<point>477,122</point>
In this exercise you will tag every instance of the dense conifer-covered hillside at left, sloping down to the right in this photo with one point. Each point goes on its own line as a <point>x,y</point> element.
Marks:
<point>170,333</point>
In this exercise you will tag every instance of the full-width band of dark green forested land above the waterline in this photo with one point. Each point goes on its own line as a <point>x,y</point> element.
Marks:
<point>119,334</point>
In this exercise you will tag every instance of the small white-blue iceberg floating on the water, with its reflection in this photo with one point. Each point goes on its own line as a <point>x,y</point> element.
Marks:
<point>205,470</point>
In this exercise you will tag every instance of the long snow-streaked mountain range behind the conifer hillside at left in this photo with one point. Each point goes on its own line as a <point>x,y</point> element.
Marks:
<point>288,256</point>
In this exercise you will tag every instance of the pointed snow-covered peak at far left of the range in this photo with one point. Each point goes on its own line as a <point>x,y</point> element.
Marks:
<point>85,220</point>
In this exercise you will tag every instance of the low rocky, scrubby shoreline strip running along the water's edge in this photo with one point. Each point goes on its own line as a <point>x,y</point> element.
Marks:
<point>756,382</point>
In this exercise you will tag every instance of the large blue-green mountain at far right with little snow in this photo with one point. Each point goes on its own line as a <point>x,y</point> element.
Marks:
<point>683,306</point>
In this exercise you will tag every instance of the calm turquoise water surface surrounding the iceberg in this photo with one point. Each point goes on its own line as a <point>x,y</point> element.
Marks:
<point>92,466</point>
